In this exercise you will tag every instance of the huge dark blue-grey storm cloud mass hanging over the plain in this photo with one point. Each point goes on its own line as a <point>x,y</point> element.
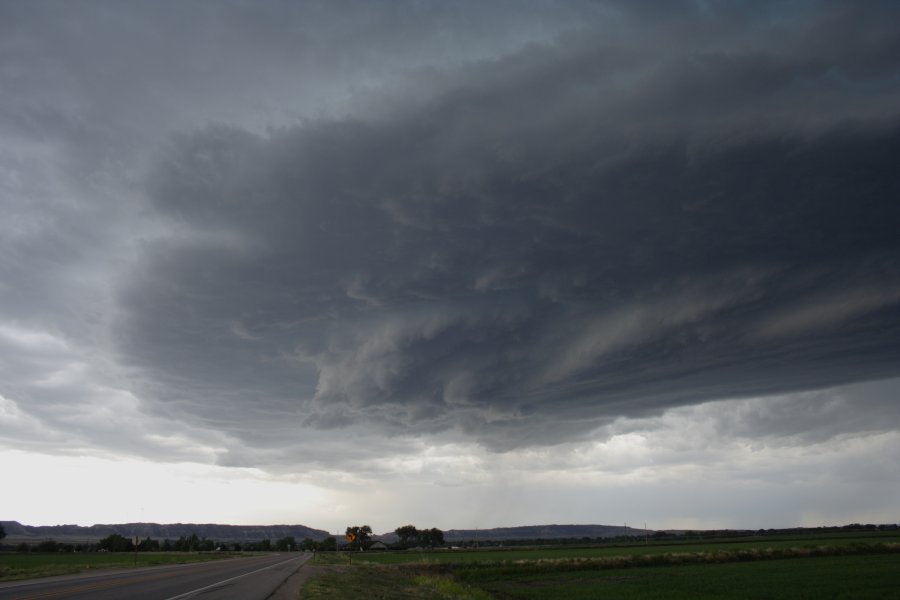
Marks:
<point>529,247</point>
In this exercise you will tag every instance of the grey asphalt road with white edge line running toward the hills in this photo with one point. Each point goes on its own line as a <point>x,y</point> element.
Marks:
<point>254,578</point>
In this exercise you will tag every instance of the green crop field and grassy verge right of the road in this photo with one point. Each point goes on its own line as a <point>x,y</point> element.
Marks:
<point>859,567</point>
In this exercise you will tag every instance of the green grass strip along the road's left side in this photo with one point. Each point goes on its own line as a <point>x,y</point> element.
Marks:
<point>14,566</point>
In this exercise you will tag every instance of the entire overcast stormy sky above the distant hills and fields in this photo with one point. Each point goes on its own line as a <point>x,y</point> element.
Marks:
<point>456,264</point>
